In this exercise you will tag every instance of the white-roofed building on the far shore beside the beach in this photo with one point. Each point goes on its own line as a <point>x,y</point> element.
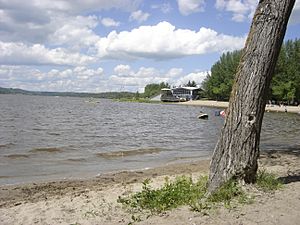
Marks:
<point>178,94</point>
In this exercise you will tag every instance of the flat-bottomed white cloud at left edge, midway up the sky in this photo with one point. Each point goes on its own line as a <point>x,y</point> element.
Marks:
<point>21,54</point>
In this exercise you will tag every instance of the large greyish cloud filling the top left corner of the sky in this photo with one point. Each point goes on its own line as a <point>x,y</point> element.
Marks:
<point>35,21</point>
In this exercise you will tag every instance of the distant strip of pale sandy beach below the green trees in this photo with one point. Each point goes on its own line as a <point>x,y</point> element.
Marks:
<point>220,104</point>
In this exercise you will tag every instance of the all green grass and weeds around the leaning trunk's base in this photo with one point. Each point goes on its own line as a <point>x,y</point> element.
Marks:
<point>184,191</point>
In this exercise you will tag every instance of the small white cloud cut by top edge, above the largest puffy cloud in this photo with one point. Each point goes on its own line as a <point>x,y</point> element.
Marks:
<point>187,7</point>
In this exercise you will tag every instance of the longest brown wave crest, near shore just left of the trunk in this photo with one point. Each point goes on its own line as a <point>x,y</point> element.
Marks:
<point>141,151</point>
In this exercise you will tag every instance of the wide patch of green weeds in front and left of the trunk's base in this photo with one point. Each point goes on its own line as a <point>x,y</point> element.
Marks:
<point>183,191</point>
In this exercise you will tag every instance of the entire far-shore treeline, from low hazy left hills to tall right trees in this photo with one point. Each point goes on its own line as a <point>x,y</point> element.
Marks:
<point>285,85</point>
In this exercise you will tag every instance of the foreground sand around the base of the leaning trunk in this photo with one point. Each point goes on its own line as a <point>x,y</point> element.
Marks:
<point>94,201</point>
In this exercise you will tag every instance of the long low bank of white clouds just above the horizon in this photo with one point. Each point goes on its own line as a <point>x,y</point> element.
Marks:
<point>84,79</point>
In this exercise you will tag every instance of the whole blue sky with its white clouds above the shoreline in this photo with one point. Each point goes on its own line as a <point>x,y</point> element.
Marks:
<point>119,45</point>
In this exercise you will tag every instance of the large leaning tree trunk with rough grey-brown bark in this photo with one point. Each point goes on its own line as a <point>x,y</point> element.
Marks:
<point>237,150</point>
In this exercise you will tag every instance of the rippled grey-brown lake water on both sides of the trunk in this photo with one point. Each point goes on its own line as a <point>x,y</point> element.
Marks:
<point>47,138</point>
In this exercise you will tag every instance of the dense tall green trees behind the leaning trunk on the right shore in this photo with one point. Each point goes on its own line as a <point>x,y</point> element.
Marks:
<point>285,85</point>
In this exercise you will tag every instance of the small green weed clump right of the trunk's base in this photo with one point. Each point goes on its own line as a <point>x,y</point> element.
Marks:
<point>267,181</point>
